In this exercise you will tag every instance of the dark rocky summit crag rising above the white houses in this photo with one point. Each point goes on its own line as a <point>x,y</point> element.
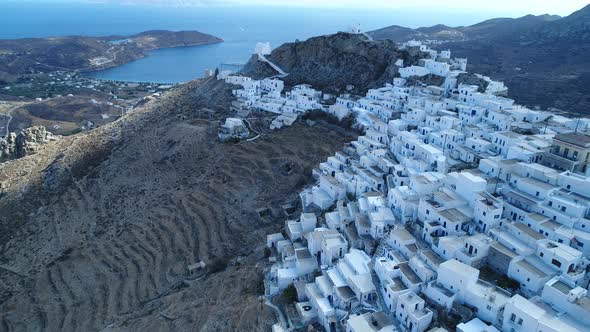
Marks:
<point>333,63</point>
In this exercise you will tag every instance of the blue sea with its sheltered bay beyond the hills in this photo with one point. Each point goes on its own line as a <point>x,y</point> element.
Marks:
<point>241,27</point>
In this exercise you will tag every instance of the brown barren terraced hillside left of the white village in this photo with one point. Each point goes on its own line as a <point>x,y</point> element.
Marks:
<point>98,229</point>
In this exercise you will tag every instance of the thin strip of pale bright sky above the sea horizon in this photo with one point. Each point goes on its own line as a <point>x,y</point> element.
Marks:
<point>510,7</point>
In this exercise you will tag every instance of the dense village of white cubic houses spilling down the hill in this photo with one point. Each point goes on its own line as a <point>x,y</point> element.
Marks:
<point>456,208</point>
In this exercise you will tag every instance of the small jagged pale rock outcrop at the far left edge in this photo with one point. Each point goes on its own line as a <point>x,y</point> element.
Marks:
<point>26,142</point>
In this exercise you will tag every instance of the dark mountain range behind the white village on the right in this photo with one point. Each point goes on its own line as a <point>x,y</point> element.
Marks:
<point>543,59</point>
